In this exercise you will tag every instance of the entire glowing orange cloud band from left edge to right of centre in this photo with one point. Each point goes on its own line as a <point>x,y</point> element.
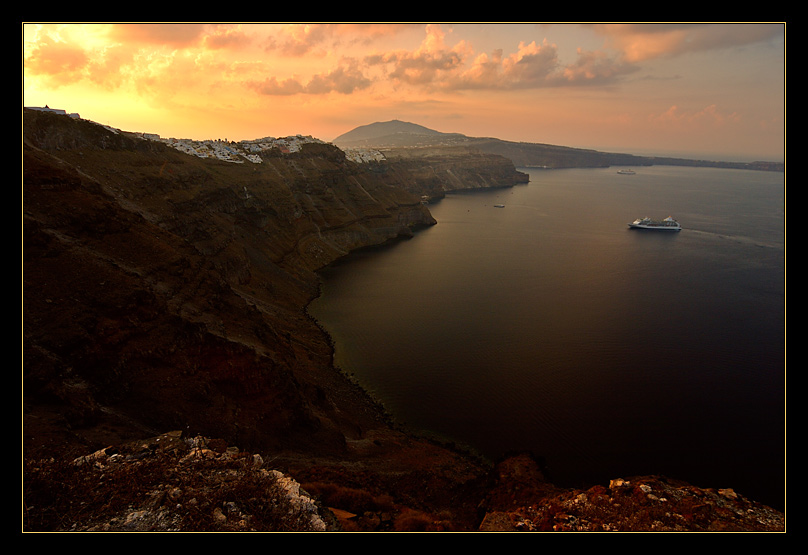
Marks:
<point>144,55</point>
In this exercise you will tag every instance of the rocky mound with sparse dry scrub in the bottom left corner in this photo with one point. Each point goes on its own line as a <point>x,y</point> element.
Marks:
<point>180,489</point>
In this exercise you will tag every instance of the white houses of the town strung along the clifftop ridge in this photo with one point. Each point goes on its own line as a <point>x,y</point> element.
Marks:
<point>241,151</point>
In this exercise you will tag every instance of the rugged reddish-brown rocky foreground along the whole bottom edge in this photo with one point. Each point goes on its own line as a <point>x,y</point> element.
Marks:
<point>171,483</point>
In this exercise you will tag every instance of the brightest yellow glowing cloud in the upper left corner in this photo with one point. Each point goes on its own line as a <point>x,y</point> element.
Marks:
<point>148,59</point>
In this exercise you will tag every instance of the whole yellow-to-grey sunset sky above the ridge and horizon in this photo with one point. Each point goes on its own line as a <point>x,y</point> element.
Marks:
<point>687,89</point>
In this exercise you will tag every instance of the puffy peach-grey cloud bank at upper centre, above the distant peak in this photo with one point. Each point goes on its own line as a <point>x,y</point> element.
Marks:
<point>436,65</point>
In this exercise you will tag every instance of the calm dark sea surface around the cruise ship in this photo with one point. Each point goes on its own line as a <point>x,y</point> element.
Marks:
<point>549,325</point>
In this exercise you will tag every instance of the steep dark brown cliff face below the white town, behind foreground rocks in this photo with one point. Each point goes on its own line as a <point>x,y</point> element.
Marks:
<point>166,291</point>
